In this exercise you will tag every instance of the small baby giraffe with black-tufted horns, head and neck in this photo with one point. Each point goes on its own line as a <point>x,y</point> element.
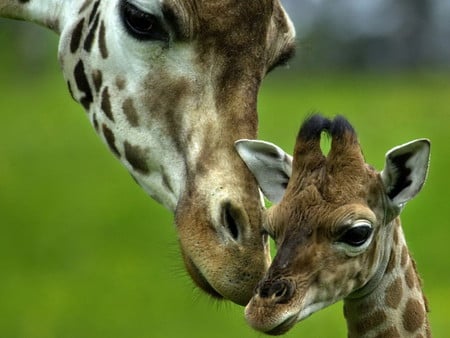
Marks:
<point>338,233</point>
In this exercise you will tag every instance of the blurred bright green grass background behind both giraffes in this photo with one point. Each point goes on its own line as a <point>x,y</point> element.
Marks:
<point>85,253</point>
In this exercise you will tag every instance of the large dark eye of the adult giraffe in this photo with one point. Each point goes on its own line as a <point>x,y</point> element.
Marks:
<point>142,25</point>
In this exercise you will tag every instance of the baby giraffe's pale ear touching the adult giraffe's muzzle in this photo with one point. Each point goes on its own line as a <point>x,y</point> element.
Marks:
<point>270,165</point>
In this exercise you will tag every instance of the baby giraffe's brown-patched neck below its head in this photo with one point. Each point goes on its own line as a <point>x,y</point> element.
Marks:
<point>397,306</point>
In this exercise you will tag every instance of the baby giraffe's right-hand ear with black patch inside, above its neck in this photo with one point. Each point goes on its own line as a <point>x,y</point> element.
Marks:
<point>405,170</point>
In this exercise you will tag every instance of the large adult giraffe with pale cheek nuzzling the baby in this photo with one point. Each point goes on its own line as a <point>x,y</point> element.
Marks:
<point>169,85</point>
